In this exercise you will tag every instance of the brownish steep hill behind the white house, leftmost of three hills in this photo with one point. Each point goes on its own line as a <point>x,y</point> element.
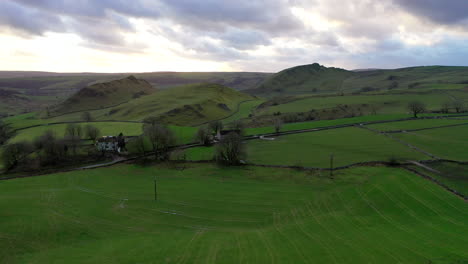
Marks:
<point>102,95</point>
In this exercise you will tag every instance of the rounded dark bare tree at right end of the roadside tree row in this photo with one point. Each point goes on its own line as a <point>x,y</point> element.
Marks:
<point>230,150</point>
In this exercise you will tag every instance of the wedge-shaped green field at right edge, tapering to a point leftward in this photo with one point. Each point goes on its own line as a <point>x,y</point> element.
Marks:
<point>447,143</point>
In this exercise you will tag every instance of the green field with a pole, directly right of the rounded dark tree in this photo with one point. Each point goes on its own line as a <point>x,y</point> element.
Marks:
<point>349,145</point>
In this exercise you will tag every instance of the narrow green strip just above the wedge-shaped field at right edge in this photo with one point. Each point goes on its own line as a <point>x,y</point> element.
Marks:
<point>417,124</point>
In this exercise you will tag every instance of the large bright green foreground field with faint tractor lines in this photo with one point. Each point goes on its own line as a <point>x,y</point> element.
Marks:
<point>241,215</point>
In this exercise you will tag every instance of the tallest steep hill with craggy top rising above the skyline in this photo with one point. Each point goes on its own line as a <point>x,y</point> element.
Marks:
<point>312,78</point>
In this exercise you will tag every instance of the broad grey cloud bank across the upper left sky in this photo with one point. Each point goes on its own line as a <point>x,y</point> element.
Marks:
<point>239,25</point>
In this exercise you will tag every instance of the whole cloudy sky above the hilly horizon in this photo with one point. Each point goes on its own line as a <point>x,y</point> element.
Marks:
<point>230,35</point>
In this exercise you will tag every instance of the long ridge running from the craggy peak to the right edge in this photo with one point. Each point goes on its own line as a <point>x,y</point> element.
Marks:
<point>314,78</point>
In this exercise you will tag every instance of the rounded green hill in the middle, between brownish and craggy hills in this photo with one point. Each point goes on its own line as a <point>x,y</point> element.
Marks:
<point>183,105</point>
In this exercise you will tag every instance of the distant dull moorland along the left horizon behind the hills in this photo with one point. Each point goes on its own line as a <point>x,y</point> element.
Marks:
<point>40,89</point>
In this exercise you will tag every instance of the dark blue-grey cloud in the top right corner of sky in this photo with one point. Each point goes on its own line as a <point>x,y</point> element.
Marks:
<point>440,11</point>
